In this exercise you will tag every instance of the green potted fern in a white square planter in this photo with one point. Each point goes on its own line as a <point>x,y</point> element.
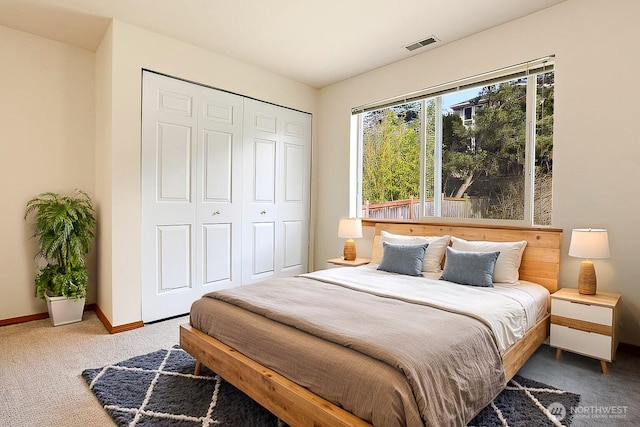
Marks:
<point>64,229</point>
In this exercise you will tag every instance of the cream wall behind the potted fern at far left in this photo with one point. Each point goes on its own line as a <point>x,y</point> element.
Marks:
<point>46,144</point>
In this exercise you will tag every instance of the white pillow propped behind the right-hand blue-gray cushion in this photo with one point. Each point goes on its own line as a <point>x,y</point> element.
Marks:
<point>508,262</point>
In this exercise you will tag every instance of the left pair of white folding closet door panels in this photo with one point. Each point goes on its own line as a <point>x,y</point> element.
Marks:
<point>191,194</point>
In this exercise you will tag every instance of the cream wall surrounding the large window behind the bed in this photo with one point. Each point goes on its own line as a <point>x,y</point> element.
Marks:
<point>596,143</point>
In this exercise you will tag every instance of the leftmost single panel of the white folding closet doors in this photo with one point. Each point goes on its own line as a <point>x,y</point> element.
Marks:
<point>169,145</point>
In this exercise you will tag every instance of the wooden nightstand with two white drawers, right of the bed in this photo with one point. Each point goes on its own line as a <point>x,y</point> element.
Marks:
<point>585,324</point>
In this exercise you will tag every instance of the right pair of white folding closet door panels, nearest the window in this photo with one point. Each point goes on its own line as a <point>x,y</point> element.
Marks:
<point>277,153</point>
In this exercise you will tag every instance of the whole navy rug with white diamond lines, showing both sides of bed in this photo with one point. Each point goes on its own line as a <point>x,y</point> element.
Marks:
<point>159,389</point>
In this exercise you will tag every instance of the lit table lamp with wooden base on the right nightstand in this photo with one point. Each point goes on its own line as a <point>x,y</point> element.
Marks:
<point>588,243</point>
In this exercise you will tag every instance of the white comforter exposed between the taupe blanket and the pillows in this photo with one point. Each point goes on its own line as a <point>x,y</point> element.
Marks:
<point>508,310</point>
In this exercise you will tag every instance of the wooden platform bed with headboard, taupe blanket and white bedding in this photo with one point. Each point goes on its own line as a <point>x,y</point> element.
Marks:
<point>268,360</point>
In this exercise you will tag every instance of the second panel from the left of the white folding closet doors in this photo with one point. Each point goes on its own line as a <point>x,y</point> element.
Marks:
<point>219,189</point>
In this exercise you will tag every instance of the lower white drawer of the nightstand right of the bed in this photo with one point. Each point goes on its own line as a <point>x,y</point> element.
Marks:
<point>586,343</point>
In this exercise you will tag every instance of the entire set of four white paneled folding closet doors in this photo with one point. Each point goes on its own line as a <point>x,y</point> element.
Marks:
<point>225,193</point>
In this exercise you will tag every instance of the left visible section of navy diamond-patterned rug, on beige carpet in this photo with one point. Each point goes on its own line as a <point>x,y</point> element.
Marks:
<point>159,389</point>
